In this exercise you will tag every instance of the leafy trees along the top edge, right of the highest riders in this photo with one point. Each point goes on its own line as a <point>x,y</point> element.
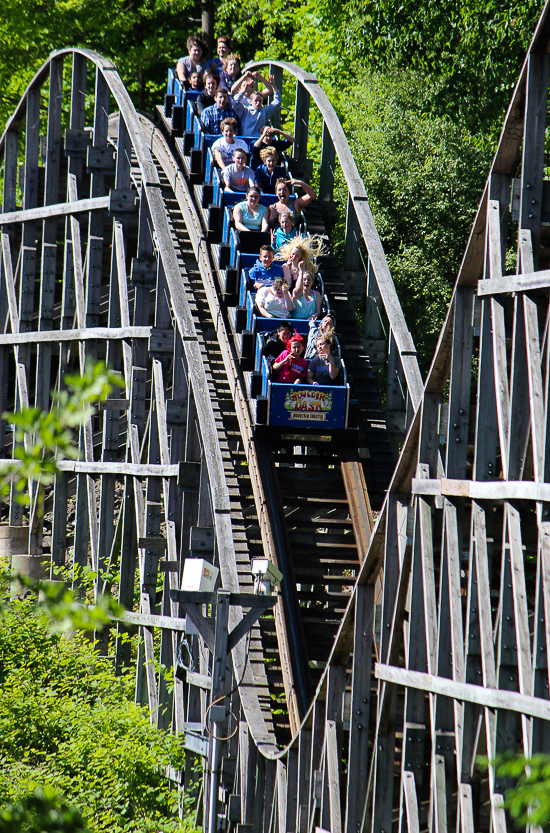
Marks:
<point>470,51</point>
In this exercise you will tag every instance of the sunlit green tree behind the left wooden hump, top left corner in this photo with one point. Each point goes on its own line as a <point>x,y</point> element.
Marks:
<point>142,37</point>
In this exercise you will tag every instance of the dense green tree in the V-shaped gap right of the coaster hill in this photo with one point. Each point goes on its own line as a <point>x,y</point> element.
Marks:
<point>423,175</point>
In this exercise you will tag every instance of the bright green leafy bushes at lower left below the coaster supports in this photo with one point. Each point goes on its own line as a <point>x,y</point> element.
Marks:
<point>69,725</point>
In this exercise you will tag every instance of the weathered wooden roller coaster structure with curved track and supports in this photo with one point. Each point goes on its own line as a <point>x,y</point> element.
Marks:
<point>410,631</point>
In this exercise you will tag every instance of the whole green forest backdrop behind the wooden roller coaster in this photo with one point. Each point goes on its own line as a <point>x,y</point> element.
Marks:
<point>421,89</point>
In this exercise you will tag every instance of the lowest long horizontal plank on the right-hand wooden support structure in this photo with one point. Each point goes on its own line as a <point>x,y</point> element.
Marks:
<point>491,698</point>
